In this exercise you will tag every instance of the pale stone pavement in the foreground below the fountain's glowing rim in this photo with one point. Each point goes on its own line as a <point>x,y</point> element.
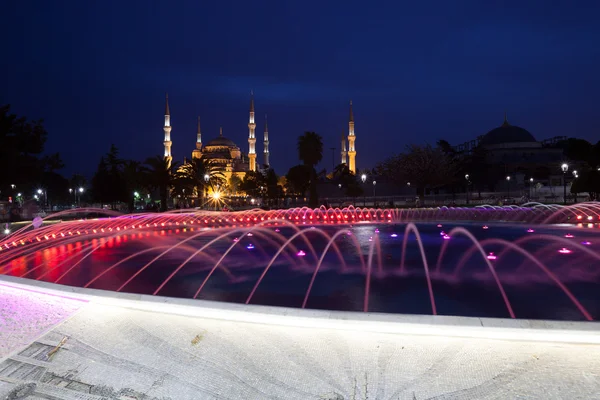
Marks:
<point>108,352</point>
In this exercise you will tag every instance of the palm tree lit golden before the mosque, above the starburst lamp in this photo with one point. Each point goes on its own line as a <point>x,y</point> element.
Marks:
<point>194,174</point>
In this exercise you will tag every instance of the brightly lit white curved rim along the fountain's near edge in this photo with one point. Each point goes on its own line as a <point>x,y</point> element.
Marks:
<point>437,325</point>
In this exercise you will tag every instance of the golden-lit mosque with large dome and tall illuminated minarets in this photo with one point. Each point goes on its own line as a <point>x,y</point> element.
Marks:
<point>230,157</point>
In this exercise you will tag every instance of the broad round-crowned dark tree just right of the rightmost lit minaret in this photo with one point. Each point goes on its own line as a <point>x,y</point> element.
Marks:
<point>422,166</point>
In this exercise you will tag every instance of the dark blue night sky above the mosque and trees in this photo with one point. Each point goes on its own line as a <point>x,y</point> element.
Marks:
<point>97,72</point>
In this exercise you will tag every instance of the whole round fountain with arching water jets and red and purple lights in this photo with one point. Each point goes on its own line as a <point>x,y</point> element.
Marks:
<point>535,261</point>
